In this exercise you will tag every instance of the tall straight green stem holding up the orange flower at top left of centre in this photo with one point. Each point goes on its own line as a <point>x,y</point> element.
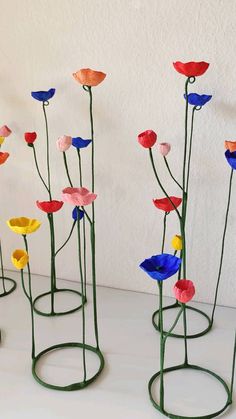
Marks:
<point>92,229</point>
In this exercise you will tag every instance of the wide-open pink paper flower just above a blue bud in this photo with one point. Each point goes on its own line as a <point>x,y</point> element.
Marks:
<point>78,196</point>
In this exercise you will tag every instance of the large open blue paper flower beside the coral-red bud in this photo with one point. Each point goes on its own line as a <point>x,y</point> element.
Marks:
<point>162,266</point>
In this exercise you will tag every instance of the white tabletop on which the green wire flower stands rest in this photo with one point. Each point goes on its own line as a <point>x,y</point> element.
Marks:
<point>131,349</point>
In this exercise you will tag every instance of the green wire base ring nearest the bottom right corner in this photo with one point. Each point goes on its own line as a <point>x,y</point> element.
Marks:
<point>193,367</point>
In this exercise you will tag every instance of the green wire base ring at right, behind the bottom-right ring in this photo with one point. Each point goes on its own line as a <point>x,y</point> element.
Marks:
<point>178,335</point>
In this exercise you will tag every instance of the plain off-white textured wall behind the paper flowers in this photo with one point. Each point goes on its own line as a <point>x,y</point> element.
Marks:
<point>134,42</point>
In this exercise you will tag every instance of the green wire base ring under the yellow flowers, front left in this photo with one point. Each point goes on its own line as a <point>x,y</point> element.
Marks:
<point>74,386</point>
